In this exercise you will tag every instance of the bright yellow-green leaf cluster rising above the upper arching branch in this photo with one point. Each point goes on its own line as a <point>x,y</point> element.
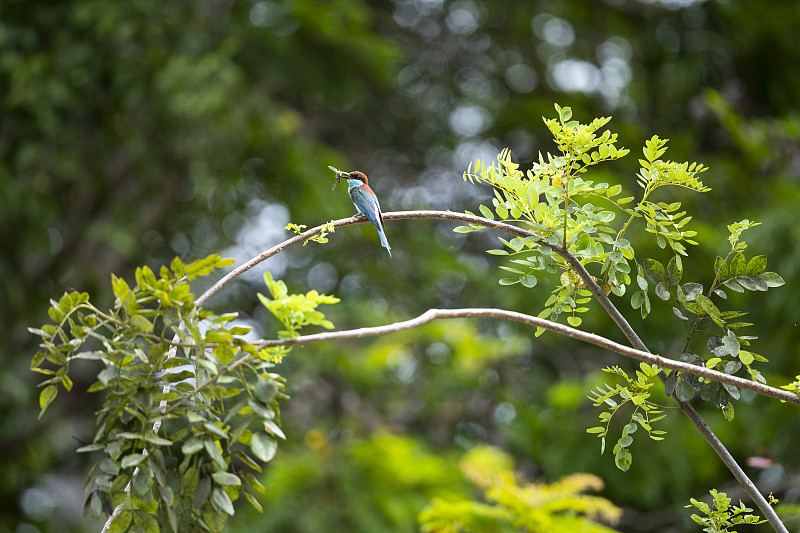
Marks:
<point>555,200</point>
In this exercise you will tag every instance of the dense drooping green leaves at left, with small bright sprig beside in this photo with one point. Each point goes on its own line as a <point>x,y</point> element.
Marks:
<point>190,407</point>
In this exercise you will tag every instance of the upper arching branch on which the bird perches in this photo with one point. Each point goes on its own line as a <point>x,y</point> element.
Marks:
<point>591,285</point>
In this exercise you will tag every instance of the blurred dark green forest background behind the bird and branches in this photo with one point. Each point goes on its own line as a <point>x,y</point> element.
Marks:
<point>131,132</point>
